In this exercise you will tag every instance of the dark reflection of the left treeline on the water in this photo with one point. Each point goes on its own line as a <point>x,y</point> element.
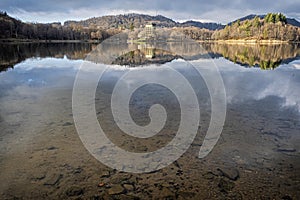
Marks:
<point>12,54</point>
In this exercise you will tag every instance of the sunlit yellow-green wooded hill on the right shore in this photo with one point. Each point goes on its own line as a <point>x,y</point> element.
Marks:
<point>271,27</point>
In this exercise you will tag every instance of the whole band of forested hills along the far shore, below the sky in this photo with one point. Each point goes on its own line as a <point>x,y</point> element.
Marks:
<point>263,27</point>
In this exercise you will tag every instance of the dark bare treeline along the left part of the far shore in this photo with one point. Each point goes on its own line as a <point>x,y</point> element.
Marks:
<point>13,28</point>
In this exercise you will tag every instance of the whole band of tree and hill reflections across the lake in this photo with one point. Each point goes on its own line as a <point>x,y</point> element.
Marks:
<point>263,56</point>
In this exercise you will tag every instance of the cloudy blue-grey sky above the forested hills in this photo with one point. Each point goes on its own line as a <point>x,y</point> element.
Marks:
<point>222,11</point>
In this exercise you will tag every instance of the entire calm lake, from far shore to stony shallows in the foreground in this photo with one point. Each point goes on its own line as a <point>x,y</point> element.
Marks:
<point>42,154</point>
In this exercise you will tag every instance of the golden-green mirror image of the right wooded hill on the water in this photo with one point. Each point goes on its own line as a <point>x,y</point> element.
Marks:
<point>263,56</point>
